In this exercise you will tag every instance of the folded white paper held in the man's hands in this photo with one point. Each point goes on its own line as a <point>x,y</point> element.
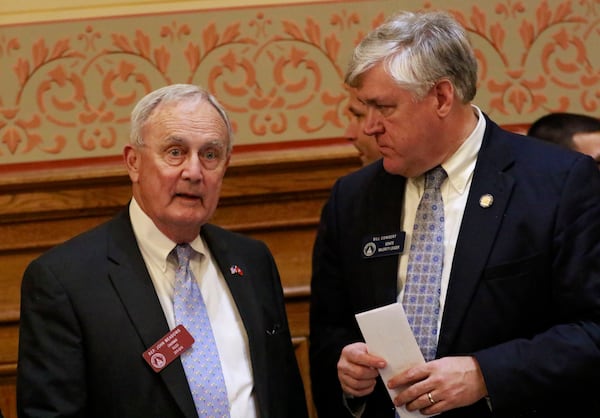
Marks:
<point>389,336</point>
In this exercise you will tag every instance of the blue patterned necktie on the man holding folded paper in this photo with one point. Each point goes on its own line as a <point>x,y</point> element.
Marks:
<point>421,299</point>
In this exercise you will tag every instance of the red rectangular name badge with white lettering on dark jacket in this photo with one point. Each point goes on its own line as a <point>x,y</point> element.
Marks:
<point>168,348</point>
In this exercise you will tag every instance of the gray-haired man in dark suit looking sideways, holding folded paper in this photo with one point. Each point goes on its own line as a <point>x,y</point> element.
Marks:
<point>516,313</point>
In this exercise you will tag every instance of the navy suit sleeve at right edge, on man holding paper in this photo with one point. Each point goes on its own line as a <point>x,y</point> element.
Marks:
<point>563,360</point>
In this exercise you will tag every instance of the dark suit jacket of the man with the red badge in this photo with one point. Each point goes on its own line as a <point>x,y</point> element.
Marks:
<point>89,310</point>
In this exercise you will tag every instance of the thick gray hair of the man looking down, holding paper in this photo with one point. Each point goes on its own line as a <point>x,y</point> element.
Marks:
<point>417,50</point>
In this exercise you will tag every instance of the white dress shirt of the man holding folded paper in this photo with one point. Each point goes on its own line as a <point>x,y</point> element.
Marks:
<point>455,190</point>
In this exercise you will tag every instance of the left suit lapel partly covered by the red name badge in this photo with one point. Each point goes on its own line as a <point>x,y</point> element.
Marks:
<point>132,282</point>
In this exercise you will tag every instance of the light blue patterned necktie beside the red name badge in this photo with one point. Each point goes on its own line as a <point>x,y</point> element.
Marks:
<point>201,362</point>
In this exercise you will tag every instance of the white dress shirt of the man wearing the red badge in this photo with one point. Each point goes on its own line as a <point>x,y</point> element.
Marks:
<point>228,329</point>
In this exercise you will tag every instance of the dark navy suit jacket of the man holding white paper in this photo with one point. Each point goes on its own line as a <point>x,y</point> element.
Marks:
<point>524,289</point>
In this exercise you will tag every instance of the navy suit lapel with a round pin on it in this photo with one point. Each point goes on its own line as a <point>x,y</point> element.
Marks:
<point>477,232</point>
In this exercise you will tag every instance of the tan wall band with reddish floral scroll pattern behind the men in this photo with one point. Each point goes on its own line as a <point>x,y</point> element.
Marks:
<point>69,86</point>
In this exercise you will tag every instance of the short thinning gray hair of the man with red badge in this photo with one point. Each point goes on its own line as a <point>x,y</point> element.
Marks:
<point>173,93</point>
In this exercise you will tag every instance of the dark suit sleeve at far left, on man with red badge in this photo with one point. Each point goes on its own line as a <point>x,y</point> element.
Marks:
<point>51,366</point>
